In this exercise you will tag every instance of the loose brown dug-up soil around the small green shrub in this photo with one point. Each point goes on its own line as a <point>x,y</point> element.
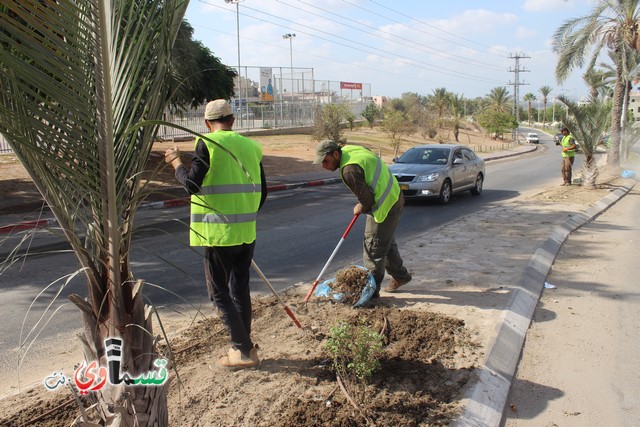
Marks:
<point>427,360</point>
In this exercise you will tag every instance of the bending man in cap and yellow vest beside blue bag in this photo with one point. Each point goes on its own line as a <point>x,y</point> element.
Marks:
<point>380,198</point>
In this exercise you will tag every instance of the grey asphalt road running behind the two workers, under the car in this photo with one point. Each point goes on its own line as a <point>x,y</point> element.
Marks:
<point>297,231</point>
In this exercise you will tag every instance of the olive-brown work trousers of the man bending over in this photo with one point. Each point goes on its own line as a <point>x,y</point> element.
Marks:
<point>380,249</point>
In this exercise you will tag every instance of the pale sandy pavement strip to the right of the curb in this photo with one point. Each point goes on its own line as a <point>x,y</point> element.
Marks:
<point>579,365</point>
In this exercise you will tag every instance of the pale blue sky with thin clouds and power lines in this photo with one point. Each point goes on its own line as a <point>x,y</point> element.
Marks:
<point>465,46</point>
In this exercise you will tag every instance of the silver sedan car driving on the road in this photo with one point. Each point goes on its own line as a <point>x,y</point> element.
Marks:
<point>438,170</point>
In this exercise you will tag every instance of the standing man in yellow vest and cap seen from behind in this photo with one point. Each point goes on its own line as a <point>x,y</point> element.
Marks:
<point>224,205</point>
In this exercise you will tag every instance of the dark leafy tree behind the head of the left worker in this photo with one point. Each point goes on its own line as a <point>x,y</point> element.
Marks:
<point>198,76</point>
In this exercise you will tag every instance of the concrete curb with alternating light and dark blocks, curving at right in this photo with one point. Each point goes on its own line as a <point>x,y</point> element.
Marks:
<point>488,397</point>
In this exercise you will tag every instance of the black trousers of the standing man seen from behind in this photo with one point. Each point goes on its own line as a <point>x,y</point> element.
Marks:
<point>226,270</point>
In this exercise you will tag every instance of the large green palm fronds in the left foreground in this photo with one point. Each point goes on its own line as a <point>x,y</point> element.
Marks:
<point>75,77</point>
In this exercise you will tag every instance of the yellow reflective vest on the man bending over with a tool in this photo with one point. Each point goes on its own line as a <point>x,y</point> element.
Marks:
<point>382,183</point>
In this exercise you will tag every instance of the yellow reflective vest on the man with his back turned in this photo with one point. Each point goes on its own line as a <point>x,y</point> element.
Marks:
<point>224,211</point>
